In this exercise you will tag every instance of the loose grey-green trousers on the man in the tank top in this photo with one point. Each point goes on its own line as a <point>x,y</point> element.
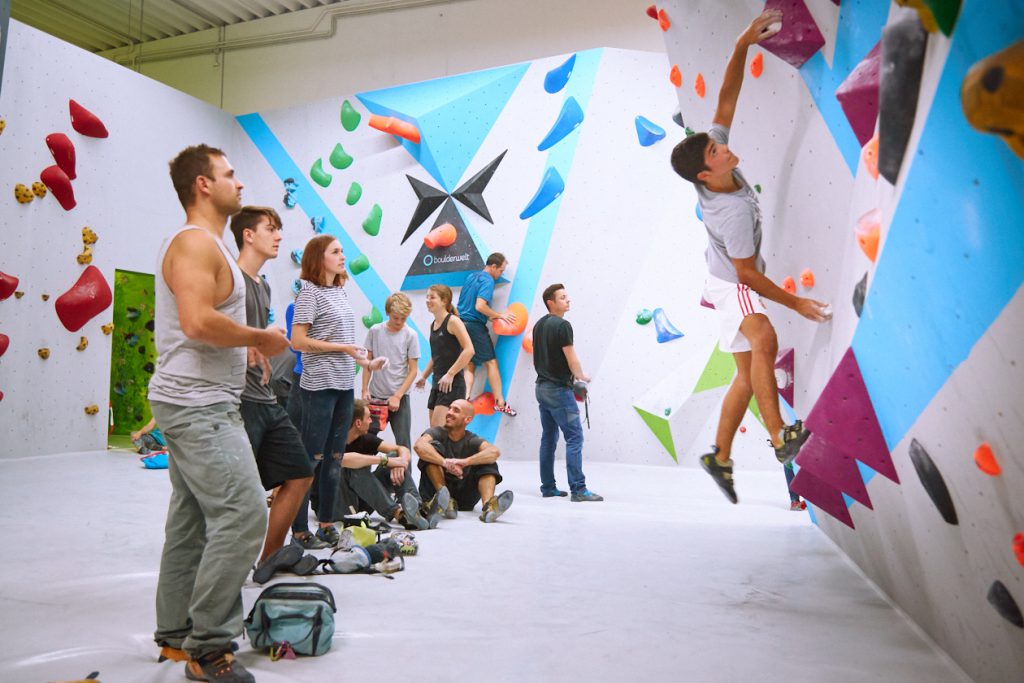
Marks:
<point>216,526</point>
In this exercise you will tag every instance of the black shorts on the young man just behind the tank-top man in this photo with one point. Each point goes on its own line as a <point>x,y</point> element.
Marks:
<point>280,454</point>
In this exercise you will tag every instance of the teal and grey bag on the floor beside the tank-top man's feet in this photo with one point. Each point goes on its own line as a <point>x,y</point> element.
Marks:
<point>301,615</point>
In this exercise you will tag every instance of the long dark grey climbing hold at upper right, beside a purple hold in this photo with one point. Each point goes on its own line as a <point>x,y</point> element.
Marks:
<point>904,47</point>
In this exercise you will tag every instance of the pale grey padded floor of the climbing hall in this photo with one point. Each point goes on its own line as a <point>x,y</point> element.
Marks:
<point>665,581</point>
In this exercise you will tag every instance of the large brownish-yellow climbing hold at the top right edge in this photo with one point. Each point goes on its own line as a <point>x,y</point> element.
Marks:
<point>992,95</point>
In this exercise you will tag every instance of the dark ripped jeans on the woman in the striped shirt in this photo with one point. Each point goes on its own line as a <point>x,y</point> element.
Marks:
<point>327,415</point>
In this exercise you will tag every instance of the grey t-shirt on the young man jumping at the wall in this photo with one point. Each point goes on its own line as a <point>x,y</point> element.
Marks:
<point>733,222</point>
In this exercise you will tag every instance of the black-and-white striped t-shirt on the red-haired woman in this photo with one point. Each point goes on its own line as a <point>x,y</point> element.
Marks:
<point>327,312</point>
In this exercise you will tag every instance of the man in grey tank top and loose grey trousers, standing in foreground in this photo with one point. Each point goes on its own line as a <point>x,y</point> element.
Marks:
<point>218,517</point>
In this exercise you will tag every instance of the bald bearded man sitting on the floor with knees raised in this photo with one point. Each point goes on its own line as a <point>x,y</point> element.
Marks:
<point>463,462</point>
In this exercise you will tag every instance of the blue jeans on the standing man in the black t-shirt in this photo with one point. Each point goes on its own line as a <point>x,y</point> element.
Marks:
<point>561,411</point>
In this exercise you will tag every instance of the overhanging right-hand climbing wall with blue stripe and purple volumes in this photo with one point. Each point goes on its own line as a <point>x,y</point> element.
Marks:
<point>871,142</point>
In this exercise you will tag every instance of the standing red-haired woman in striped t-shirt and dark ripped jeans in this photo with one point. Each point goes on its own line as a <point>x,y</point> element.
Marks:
<point>324,330</point>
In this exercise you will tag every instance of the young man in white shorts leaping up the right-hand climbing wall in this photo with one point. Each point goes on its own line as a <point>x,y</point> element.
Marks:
<point>736,270</point>
